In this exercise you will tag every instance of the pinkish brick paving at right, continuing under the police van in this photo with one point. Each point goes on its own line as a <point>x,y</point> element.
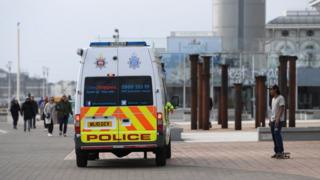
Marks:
<point>305,157</point>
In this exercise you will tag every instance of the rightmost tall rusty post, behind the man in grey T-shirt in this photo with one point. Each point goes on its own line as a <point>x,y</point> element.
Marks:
<point>292,91</point>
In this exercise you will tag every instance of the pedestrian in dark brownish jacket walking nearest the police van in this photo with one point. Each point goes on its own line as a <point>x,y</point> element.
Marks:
<point>64,109</point>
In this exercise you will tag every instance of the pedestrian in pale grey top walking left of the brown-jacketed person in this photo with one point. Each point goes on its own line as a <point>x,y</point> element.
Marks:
<point>49,113</point>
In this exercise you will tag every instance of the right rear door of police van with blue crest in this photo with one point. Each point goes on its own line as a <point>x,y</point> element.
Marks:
<point>137,110</point>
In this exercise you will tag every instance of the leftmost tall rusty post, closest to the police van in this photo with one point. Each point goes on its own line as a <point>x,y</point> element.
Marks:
<point>194,87</point>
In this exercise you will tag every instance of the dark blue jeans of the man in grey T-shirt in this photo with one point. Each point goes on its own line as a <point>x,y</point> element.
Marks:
<point>277,137</point>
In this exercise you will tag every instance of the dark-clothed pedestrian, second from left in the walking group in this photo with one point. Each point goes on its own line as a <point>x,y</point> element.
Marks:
<point>27,111</point>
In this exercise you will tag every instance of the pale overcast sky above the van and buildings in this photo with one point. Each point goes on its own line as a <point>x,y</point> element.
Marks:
<point>52,30</point>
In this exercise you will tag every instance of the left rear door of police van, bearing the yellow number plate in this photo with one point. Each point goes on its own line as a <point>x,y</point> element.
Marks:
<point>99,122</point>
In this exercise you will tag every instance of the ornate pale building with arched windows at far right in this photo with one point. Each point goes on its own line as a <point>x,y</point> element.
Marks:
<point>298,33</point>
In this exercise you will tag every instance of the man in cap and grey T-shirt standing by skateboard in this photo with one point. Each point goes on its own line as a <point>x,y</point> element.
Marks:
<point>277,120</point>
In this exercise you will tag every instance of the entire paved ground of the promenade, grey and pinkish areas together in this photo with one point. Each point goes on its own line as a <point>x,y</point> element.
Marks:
<point>34,155</point>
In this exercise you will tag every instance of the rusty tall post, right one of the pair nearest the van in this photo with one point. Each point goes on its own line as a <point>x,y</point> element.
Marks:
<point>206,92</point>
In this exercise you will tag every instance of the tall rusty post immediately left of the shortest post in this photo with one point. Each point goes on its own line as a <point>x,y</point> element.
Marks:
<point>224,96</point>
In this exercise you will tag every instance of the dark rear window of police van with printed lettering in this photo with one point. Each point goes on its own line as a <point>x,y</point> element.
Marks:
<point>118,91</point>
